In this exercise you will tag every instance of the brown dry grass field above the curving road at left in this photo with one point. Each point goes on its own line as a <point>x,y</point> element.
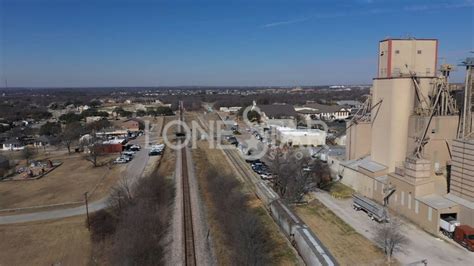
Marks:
<point>67,183</point>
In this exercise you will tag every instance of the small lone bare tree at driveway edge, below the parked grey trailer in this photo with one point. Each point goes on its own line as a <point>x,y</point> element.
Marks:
<point>390,237</point>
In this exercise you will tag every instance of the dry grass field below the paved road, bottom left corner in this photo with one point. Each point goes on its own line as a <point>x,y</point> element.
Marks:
<point>64,241</point>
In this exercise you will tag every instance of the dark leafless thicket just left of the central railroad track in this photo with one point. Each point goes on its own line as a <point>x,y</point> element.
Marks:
<point>133,227</point>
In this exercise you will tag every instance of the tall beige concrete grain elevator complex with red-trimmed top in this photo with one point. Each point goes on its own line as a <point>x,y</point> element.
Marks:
<point>402,142</point>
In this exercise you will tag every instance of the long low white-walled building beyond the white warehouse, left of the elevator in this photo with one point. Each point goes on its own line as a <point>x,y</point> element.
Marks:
<point>323,111</point>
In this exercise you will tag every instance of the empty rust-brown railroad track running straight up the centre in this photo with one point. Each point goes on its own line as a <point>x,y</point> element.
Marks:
<point>188,230</point>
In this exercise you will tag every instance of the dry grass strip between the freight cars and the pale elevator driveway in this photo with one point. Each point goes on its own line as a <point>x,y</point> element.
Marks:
<point>345,244</point>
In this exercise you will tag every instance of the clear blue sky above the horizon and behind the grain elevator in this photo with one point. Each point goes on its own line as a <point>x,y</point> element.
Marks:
<point>203,42</point>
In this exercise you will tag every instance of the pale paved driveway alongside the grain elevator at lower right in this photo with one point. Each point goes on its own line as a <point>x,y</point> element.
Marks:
<point>421,246</point>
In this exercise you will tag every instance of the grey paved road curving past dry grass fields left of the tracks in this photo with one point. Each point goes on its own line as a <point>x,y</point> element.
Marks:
<point>133,172</point>
